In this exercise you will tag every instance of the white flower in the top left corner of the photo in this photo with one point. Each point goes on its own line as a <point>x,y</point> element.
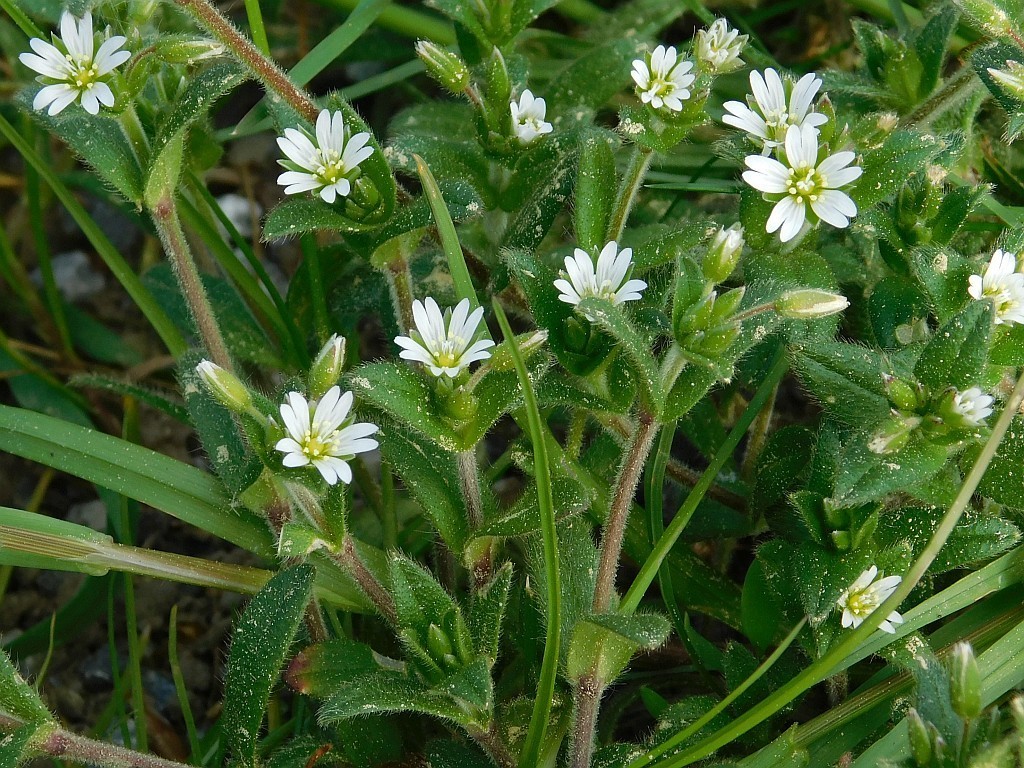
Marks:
<point>72,69</point>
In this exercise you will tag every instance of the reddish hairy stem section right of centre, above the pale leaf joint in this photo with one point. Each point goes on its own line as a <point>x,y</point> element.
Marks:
<point>615,527</point>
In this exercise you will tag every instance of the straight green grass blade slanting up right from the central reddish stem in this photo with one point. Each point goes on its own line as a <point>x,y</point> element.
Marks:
<point>650,570</point>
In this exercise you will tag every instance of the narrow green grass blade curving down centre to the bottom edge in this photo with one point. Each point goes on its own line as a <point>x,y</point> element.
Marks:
<point>542,472</point>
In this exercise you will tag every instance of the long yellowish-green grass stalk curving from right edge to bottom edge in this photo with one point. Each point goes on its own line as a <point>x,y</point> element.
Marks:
<point>839,652</point>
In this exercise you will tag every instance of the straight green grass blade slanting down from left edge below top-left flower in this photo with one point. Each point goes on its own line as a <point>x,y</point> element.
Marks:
<point>115,262</point>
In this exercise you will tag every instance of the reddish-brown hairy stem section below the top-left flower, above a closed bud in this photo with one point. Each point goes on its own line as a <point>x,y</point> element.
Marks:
<point>165,217</point>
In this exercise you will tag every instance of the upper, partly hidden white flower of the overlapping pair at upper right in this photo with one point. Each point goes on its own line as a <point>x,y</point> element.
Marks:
<point>769,114</point>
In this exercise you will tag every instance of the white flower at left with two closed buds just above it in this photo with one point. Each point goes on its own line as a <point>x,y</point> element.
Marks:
<point>322,437</point>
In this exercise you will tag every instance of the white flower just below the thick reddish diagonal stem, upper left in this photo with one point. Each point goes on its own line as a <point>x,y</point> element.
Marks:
<point>326,167</point>
